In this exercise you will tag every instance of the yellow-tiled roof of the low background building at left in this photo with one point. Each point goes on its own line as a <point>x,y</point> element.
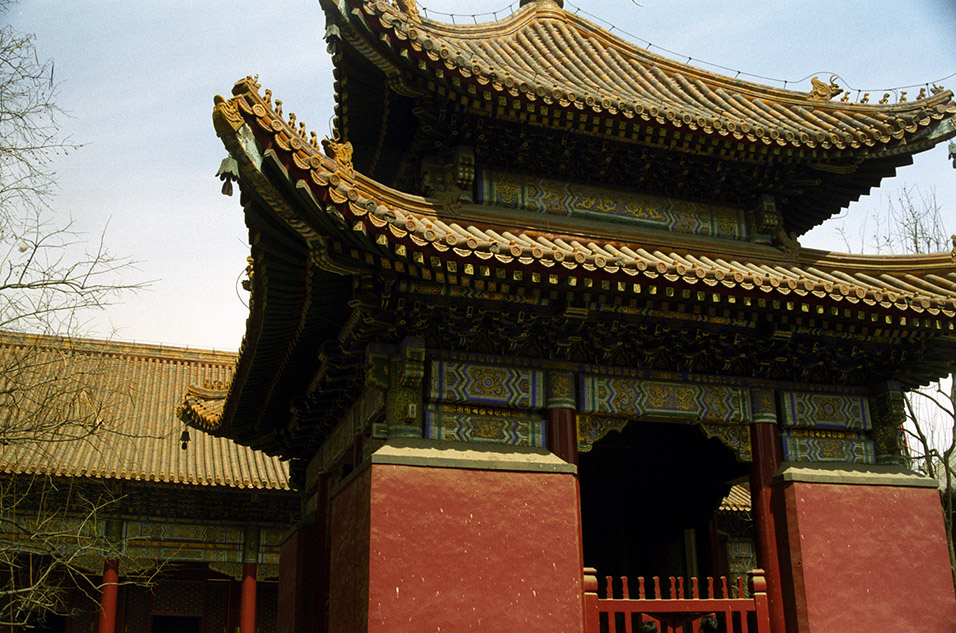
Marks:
<point>132,391</point>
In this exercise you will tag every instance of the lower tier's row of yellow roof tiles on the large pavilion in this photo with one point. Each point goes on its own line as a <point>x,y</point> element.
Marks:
<point>914,283</point>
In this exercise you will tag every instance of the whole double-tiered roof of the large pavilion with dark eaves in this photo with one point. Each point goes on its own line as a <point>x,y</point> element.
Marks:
<point>587,257</point>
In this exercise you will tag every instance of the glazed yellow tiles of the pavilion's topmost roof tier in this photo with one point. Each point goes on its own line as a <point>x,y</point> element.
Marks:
<point>546,55</point>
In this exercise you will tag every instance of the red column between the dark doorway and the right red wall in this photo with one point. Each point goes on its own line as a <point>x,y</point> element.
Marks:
<point>765,444</point>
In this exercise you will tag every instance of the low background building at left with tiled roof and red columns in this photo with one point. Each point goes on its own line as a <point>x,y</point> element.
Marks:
<point>128,529</point>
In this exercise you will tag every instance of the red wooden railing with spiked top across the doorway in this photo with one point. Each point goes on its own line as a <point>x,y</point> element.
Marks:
<point>683,608</point>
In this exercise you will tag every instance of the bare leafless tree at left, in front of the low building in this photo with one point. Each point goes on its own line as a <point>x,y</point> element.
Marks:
<point>51,279</point>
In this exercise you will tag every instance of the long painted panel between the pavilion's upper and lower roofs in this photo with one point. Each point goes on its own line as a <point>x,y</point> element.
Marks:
<point>542,195</point>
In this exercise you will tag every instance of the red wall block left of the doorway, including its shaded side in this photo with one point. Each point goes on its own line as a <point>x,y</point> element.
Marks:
<point>460,550</point>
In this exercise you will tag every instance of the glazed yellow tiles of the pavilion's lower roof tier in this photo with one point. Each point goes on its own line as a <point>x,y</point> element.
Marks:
<point>394,224</point>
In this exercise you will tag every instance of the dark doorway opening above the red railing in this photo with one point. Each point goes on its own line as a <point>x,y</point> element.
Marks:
<point>648,495</point>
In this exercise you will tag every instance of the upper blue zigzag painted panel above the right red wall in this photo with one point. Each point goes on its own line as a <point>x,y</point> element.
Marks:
<point>824,410</point>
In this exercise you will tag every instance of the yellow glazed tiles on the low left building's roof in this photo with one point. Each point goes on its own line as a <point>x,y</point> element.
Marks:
<point>142,386</point>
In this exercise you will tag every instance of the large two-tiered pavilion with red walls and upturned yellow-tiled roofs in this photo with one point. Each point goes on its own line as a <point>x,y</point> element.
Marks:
<point>540,301</point>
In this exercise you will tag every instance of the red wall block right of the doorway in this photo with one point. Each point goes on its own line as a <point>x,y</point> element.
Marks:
<point>868,558</point>
